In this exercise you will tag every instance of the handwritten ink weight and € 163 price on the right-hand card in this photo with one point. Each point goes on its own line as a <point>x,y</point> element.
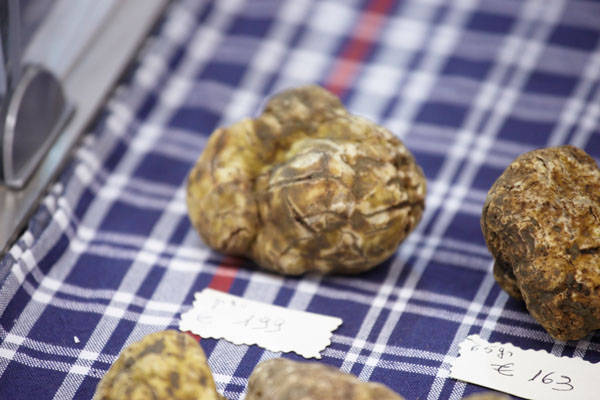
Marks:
<point>509,368</point>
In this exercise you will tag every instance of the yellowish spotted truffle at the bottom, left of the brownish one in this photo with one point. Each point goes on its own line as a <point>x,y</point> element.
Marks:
<point>163,365</point>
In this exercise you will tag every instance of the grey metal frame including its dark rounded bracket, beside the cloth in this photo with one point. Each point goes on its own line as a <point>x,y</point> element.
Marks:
<point>71,63</point>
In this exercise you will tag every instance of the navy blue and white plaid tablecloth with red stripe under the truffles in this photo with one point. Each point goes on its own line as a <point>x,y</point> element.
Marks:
<point>467,85</point>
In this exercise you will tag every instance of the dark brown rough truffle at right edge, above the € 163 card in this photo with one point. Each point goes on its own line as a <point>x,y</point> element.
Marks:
<point>541,221</point>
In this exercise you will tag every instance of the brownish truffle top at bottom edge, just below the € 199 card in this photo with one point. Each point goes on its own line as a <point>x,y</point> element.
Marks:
<point>281,379</point>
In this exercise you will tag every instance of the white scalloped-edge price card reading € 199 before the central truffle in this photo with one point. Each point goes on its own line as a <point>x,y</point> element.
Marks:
<point>221,315</point>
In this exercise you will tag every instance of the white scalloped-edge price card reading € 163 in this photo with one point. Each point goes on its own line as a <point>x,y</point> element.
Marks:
<point>531,374</point>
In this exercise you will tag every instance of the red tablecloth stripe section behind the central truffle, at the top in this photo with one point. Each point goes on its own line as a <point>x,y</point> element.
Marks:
<point>357,49</point>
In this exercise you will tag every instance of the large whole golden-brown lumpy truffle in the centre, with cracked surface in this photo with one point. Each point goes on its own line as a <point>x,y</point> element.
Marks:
<point>306,186</point>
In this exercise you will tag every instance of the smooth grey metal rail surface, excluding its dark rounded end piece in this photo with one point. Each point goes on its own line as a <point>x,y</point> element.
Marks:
<point>86,80</point>
